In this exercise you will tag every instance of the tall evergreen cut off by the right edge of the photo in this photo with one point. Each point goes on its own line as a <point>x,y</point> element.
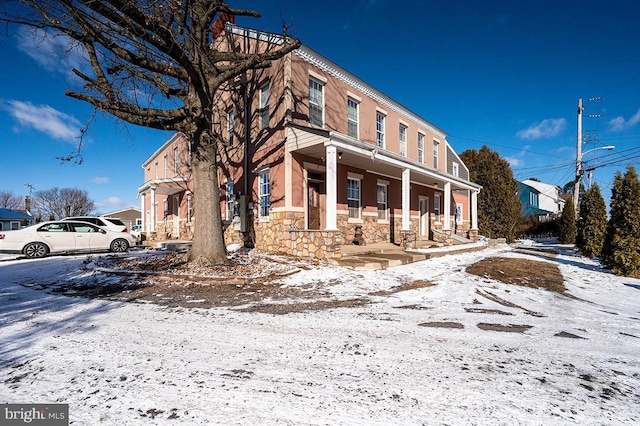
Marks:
<point>621,249</point>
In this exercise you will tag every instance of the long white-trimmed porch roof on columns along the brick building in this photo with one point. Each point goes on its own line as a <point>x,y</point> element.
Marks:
<point>366,156</point>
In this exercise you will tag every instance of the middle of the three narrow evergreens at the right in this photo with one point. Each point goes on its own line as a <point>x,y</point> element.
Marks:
<point>592,223</point>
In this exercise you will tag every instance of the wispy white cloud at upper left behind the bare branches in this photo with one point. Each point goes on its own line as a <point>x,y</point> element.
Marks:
<point>54,52</point>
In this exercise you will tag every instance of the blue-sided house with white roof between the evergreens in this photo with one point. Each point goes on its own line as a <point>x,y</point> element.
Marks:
<point>541,199</point>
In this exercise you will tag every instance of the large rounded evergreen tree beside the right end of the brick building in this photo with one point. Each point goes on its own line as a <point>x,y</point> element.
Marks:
<point>499,209</point>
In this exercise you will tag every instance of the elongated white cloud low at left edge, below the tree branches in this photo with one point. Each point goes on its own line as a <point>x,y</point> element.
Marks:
<point>45,119</point>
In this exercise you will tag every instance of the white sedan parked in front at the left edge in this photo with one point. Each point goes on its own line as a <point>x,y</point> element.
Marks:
<point>63,236</point>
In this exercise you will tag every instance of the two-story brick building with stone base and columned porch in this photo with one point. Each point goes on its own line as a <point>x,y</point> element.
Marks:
<point>328,155</point>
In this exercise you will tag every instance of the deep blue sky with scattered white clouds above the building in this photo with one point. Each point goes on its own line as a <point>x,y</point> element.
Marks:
<point>503,74</point>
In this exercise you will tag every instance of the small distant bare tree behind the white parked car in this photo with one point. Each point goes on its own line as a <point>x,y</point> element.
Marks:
<point>56,203</point>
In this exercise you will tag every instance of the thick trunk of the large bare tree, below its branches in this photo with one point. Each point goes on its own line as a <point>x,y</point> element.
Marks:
<point>208,238</point>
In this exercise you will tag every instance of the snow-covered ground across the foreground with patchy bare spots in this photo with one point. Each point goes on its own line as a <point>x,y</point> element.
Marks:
<point>383,363</point>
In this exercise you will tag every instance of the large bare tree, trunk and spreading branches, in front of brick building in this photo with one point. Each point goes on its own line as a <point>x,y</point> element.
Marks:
<point>155,64</point>
